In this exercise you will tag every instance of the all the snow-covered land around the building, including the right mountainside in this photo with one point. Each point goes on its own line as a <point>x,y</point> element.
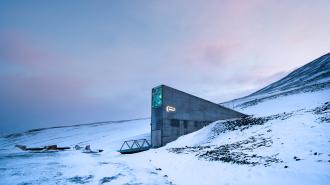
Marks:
<point>285,140</point>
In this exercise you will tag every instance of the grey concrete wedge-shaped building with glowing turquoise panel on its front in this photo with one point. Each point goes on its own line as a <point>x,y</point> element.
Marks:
<point>175,113</point>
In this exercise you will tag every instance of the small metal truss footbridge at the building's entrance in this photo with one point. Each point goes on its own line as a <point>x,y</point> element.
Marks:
<point>134,146</point>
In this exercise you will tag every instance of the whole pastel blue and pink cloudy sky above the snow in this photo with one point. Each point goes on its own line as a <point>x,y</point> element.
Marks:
<point>70,62</point>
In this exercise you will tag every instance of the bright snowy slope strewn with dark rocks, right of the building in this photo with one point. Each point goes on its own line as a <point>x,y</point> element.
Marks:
<point>291,148</point>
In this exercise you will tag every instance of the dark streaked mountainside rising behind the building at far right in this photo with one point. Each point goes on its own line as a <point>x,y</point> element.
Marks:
<point>311,77</point>
